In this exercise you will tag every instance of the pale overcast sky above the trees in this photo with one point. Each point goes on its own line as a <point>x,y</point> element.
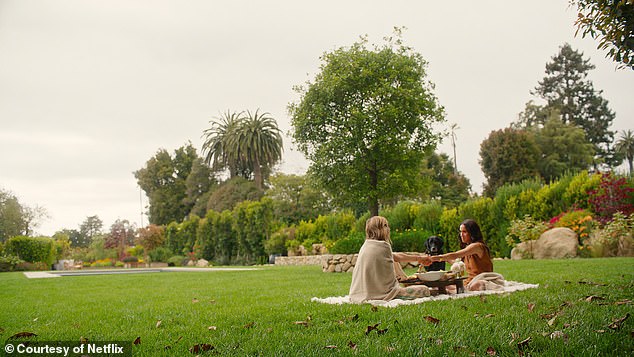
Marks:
<point>90,89</point>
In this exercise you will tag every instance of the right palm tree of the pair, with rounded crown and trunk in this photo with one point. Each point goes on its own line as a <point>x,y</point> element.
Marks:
<point>260,143</point>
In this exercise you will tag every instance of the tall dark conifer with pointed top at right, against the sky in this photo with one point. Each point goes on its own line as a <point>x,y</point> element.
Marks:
<point>567,91</point>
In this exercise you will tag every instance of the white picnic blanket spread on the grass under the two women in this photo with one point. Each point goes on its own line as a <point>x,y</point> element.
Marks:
<point>509,287</point>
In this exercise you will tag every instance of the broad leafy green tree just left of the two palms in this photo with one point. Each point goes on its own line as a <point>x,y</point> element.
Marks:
<point>164,181</point>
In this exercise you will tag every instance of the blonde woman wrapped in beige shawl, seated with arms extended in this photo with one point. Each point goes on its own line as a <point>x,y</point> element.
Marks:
<point>375,273</point>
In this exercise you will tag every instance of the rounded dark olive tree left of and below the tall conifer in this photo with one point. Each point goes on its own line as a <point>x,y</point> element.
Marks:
<point>508,156</point>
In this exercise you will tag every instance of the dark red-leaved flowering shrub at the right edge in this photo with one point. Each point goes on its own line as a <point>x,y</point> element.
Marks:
<point>613,195</point>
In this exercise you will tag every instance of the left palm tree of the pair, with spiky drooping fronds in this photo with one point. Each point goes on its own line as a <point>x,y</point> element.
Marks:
<point>220,143</point>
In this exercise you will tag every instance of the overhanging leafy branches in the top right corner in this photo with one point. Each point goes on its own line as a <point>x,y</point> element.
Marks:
<point>612,23</point>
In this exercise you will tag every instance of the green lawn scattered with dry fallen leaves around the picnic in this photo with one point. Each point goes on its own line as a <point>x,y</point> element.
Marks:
<point>269,312</point>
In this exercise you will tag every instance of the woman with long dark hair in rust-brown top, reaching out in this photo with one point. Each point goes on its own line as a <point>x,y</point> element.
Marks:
<point>476,257</point>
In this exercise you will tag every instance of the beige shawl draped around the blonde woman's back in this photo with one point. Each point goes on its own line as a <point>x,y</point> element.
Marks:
<point>373,277</point>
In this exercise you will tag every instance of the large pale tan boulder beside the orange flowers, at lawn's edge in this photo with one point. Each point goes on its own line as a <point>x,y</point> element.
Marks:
<point>553,244</point>
